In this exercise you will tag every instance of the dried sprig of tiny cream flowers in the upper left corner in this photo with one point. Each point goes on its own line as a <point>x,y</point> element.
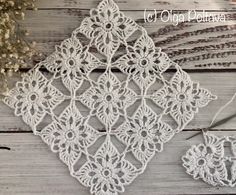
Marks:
<point>15,51</point>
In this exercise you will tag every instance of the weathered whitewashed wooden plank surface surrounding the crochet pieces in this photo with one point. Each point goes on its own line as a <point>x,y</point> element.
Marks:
<point>205,50</point>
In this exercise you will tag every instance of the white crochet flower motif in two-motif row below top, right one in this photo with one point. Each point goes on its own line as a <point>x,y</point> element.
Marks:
<point>144,61</point>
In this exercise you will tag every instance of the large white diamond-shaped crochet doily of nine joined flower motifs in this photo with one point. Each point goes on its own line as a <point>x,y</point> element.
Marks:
<point>107,106</point>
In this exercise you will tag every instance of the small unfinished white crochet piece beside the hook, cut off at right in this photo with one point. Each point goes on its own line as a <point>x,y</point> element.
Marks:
<point>210,162</point>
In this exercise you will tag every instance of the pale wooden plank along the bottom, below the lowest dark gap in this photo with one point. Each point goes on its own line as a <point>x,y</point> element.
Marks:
<point>30,168</point>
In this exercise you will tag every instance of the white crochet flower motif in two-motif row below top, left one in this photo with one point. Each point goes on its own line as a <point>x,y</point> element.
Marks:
<point>71,62</point>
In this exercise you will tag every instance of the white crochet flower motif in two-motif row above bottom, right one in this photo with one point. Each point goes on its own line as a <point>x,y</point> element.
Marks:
<point>145,134</point>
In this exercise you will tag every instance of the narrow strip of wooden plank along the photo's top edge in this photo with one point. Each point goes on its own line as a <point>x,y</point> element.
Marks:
<point>140,5</point>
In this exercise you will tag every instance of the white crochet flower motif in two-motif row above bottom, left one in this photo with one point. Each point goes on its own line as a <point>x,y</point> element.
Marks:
<point>69,135</point>
